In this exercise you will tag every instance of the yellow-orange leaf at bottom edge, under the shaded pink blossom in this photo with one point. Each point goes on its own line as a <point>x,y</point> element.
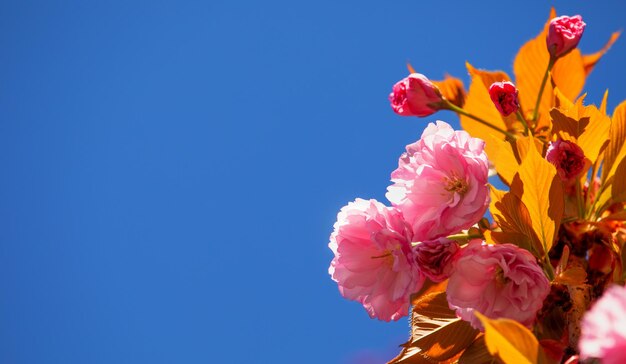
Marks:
<point>511,342</point>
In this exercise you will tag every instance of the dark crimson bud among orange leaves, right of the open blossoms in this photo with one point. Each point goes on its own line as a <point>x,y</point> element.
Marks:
<point>567,157</point>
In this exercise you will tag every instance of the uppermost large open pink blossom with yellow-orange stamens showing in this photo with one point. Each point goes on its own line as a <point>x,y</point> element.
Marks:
<point>440,184</point>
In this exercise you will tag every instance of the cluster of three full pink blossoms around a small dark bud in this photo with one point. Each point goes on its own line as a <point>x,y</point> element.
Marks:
<point>384,254</point>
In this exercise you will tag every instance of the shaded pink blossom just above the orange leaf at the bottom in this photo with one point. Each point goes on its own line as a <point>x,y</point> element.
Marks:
<point>499,281</point>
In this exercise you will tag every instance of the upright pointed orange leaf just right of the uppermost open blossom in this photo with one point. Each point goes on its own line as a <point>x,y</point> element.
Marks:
<point>542,195</point>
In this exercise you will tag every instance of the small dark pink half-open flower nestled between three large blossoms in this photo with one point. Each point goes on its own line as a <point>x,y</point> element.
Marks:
<point>435,258</point>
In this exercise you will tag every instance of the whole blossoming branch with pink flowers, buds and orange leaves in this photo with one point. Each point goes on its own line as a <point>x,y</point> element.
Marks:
<point>542,279</point>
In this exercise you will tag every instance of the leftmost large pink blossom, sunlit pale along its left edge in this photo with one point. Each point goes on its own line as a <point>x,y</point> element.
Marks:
<point>374,262</point>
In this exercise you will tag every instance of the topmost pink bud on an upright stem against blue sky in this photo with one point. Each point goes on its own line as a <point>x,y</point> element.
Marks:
<point>564,33</point>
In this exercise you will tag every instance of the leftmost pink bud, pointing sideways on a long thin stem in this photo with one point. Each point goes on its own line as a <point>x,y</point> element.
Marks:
<point>415,95</point>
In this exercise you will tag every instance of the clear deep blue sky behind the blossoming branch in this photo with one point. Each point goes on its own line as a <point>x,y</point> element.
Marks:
<point>171,170</point>
